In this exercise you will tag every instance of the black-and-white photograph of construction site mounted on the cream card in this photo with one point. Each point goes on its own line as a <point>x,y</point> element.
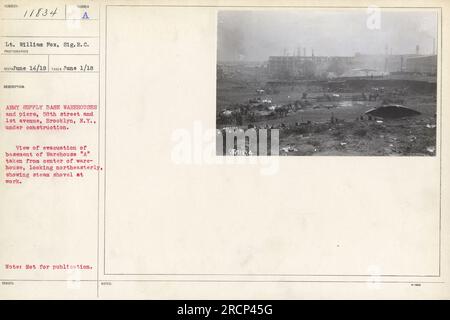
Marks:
<point>332,82</point>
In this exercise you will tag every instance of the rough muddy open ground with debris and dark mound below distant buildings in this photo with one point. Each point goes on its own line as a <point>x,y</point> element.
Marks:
<point>329,117</point>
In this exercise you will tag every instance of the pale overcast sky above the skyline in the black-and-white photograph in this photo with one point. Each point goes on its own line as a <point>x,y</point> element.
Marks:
<point>255,35</point>
